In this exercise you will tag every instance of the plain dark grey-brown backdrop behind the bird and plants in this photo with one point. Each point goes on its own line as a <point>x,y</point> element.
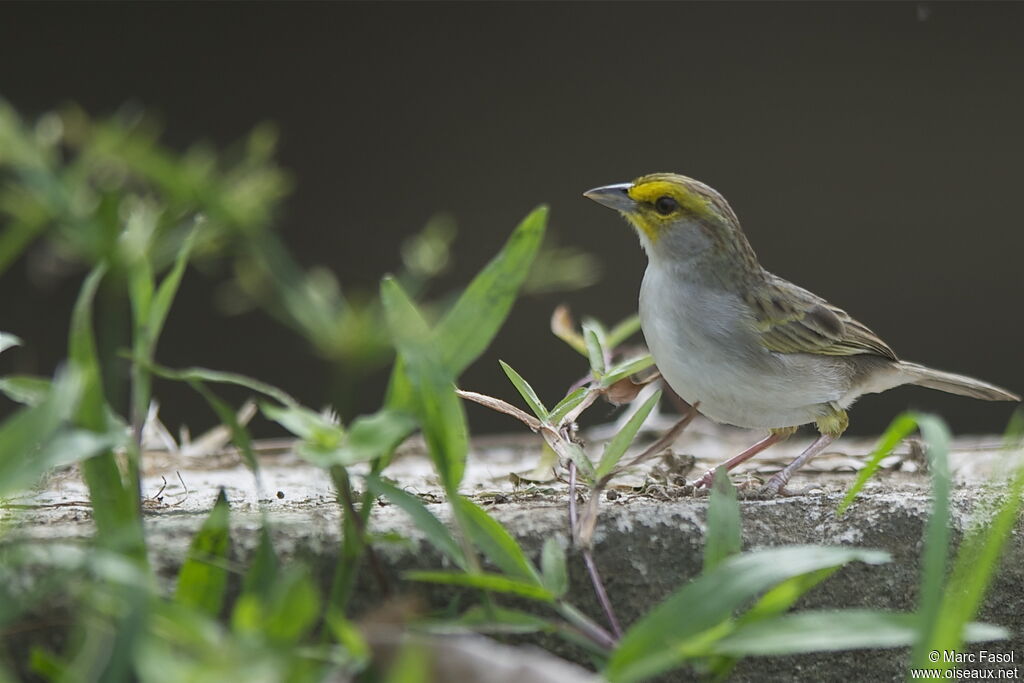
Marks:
<point>873,152</point>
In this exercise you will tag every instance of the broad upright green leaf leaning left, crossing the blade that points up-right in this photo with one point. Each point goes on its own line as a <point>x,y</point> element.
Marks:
<point>438,407</point>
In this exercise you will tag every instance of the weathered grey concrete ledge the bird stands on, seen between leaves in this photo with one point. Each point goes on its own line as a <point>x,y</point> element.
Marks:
<point>649,541</point>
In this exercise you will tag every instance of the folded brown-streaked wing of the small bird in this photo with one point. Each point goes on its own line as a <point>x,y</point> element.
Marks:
<point>791,320</point>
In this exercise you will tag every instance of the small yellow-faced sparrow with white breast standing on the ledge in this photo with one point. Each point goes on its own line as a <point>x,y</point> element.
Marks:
<point>744,346</point>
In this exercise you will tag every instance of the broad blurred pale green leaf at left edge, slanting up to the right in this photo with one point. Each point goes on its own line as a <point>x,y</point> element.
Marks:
<point>24,436</point>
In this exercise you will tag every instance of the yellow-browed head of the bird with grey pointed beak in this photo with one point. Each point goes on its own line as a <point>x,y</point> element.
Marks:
<point>678,218</point>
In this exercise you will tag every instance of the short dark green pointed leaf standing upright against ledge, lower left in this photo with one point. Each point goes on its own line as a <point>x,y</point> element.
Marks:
<point>203,578</point>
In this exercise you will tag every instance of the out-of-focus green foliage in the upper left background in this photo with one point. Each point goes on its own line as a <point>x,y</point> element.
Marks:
<point>69,184</point>
